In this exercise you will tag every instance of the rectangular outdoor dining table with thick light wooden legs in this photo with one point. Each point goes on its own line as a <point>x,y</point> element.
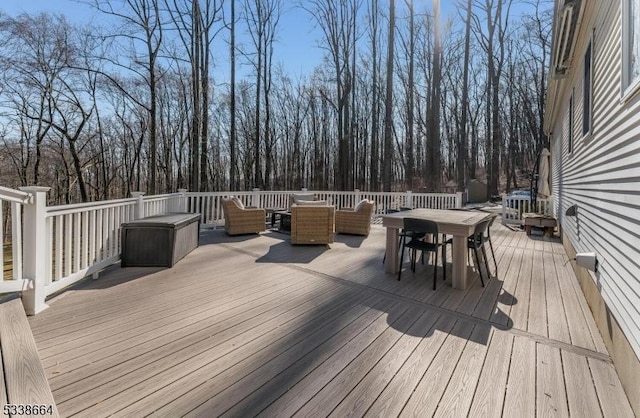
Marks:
<point>458,223</point>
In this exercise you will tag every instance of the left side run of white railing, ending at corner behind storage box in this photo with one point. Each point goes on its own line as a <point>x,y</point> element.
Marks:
<point>66,243</point>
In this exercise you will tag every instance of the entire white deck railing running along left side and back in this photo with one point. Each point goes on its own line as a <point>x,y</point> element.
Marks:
<point>55,246</point>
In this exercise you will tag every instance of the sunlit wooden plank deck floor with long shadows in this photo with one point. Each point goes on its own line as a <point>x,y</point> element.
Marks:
<point>251,325</point>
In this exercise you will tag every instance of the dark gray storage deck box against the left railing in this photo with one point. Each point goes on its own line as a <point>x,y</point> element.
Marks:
<point>159,241</point>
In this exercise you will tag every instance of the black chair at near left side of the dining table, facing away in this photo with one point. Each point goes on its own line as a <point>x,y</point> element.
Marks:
<point>422,228</point>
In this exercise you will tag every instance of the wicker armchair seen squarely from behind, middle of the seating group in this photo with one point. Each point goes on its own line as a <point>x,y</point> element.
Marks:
<point>312,224</point>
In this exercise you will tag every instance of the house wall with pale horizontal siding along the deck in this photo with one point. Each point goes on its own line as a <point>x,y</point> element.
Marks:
<point>602,177</point>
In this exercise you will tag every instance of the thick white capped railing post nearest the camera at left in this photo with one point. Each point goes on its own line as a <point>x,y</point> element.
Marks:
<point>35,248</point>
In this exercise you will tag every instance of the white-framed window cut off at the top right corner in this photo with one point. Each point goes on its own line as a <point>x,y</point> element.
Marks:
<point>630,46</point>
